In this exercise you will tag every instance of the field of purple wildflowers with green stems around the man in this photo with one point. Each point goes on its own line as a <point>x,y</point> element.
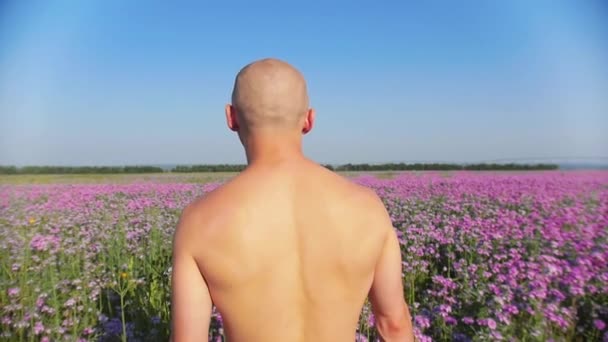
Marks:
<point>513,256</point>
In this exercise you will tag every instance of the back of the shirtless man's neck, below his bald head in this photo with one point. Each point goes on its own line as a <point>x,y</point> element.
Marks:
<point>273,149</point>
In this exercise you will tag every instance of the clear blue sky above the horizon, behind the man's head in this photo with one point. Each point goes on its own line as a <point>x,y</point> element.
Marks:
<point>126,82</point>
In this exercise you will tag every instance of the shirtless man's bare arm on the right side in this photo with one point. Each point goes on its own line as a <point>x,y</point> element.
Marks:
<point>393,320</point>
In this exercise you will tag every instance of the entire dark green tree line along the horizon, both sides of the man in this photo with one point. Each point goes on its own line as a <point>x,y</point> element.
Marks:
<point>32,170</point>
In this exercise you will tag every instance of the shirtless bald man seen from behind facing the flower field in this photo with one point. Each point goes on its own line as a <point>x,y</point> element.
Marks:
<point>287,250</point>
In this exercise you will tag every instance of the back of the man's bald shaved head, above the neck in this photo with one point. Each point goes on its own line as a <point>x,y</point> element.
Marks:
<point>270,93</point>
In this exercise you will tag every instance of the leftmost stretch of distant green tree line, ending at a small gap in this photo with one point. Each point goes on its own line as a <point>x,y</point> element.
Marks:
<point>45,170</point>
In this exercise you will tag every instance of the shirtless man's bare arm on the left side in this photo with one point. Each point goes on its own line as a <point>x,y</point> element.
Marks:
<point>190,299</point>
